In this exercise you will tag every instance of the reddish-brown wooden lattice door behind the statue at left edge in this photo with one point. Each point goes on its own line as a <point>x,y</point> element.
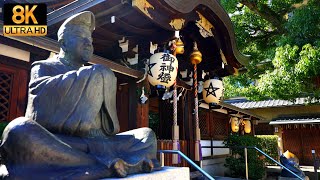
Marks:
<point>13,90</point>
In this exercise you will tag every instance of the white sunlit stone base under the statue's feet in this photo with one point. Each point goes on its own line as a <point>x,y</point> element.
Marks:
<point>176,173</point>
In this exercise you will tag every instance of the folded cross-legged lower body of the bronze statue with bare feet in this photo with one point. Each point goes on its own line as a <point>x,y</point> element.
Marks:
<point>29,150</point>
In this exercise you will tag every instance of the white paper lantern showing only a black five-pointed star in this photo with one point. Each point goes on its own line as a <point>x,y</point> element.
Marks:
<point>212,91</point>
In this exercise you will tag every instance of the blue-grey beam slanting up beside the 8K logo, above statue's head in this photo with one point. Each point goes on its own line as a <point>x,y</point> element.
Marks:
<point>69,10</point>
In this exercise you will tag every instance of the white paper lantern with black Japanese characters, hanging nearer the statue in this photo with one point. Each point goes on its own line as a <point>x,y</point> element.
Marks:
<point>162,69</point>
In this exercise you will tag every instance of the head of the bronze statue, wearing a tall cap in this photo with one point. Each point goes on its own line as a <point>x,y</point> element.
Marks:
<point>75,37</point>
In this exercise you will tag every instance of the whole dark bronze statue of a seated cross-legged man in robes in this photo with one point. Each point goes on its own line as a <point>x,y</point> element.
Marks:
<point>71,129</point>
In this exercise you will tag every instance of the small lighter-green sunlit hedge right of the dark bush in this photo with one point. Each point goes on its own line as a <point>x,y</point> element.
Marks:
<point>269,145</point>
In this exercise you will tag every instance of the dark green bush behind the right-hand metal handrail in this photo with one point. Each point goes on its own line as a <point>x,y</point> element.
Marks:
<point>236,162</point>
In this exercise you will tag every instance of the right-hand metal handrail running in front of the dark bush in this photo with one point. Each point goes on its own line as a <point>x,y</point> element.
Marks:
<point>259,150</point>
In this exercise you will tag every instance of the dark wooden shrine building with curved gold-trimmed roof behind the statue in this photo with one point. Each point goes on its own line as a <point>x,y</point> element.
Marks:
<point>127,33</point>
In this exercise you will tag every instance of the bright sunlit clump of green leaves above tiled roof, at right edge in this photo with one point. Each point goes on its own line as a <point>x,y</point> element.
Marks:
<point>293,69</point>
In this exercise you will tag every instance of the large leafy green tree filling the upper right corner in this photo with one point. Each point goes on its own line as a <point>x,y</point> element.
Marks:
<point>283,39</point>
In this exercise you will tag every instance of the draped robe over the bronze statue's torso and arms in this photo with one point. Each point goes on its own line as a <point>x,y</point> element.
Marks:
<point>73,102</point>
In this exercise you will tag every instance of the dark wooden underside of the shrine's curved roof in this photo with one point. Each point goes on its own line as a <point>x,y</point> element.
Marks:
<point>140,30</point>
